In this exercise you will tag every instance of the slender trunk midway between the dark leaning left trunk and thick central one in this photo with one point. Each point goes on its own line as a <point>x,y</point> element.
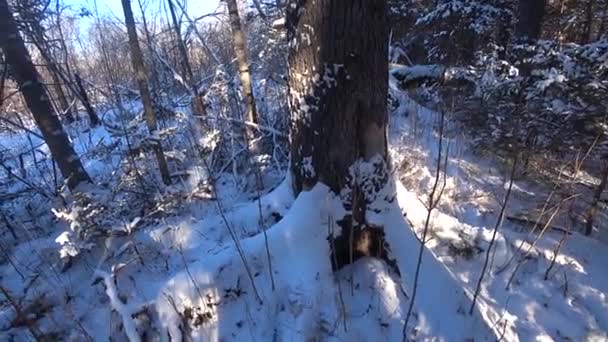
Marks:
<point>142,81</point>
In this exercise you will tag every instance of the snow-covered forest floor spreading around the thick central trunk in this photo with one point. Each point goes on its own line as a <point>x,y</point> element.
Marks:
<point>179,270</point>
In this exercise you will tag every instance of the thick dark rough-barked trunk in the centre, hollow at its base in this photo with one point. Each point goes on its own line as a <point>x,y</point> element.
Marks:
<point>338,80</point>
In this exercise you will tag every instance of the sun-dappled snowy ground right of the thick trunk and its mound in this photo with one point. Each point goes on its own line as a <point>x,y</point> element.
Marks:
<point>571,304</point>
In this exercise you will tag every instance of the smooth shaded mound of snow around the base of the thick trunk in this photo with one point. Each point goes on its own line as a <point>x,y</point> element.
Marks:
<point>221,298</point>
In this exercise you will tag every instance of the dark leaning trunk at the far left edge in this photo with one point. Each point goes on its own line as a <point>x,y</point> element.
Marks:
<point>29,81</point>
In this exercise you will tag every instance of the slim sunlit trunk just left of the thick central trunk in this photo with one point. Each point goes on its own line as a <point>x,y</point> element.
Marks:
<point>240,49</point>
